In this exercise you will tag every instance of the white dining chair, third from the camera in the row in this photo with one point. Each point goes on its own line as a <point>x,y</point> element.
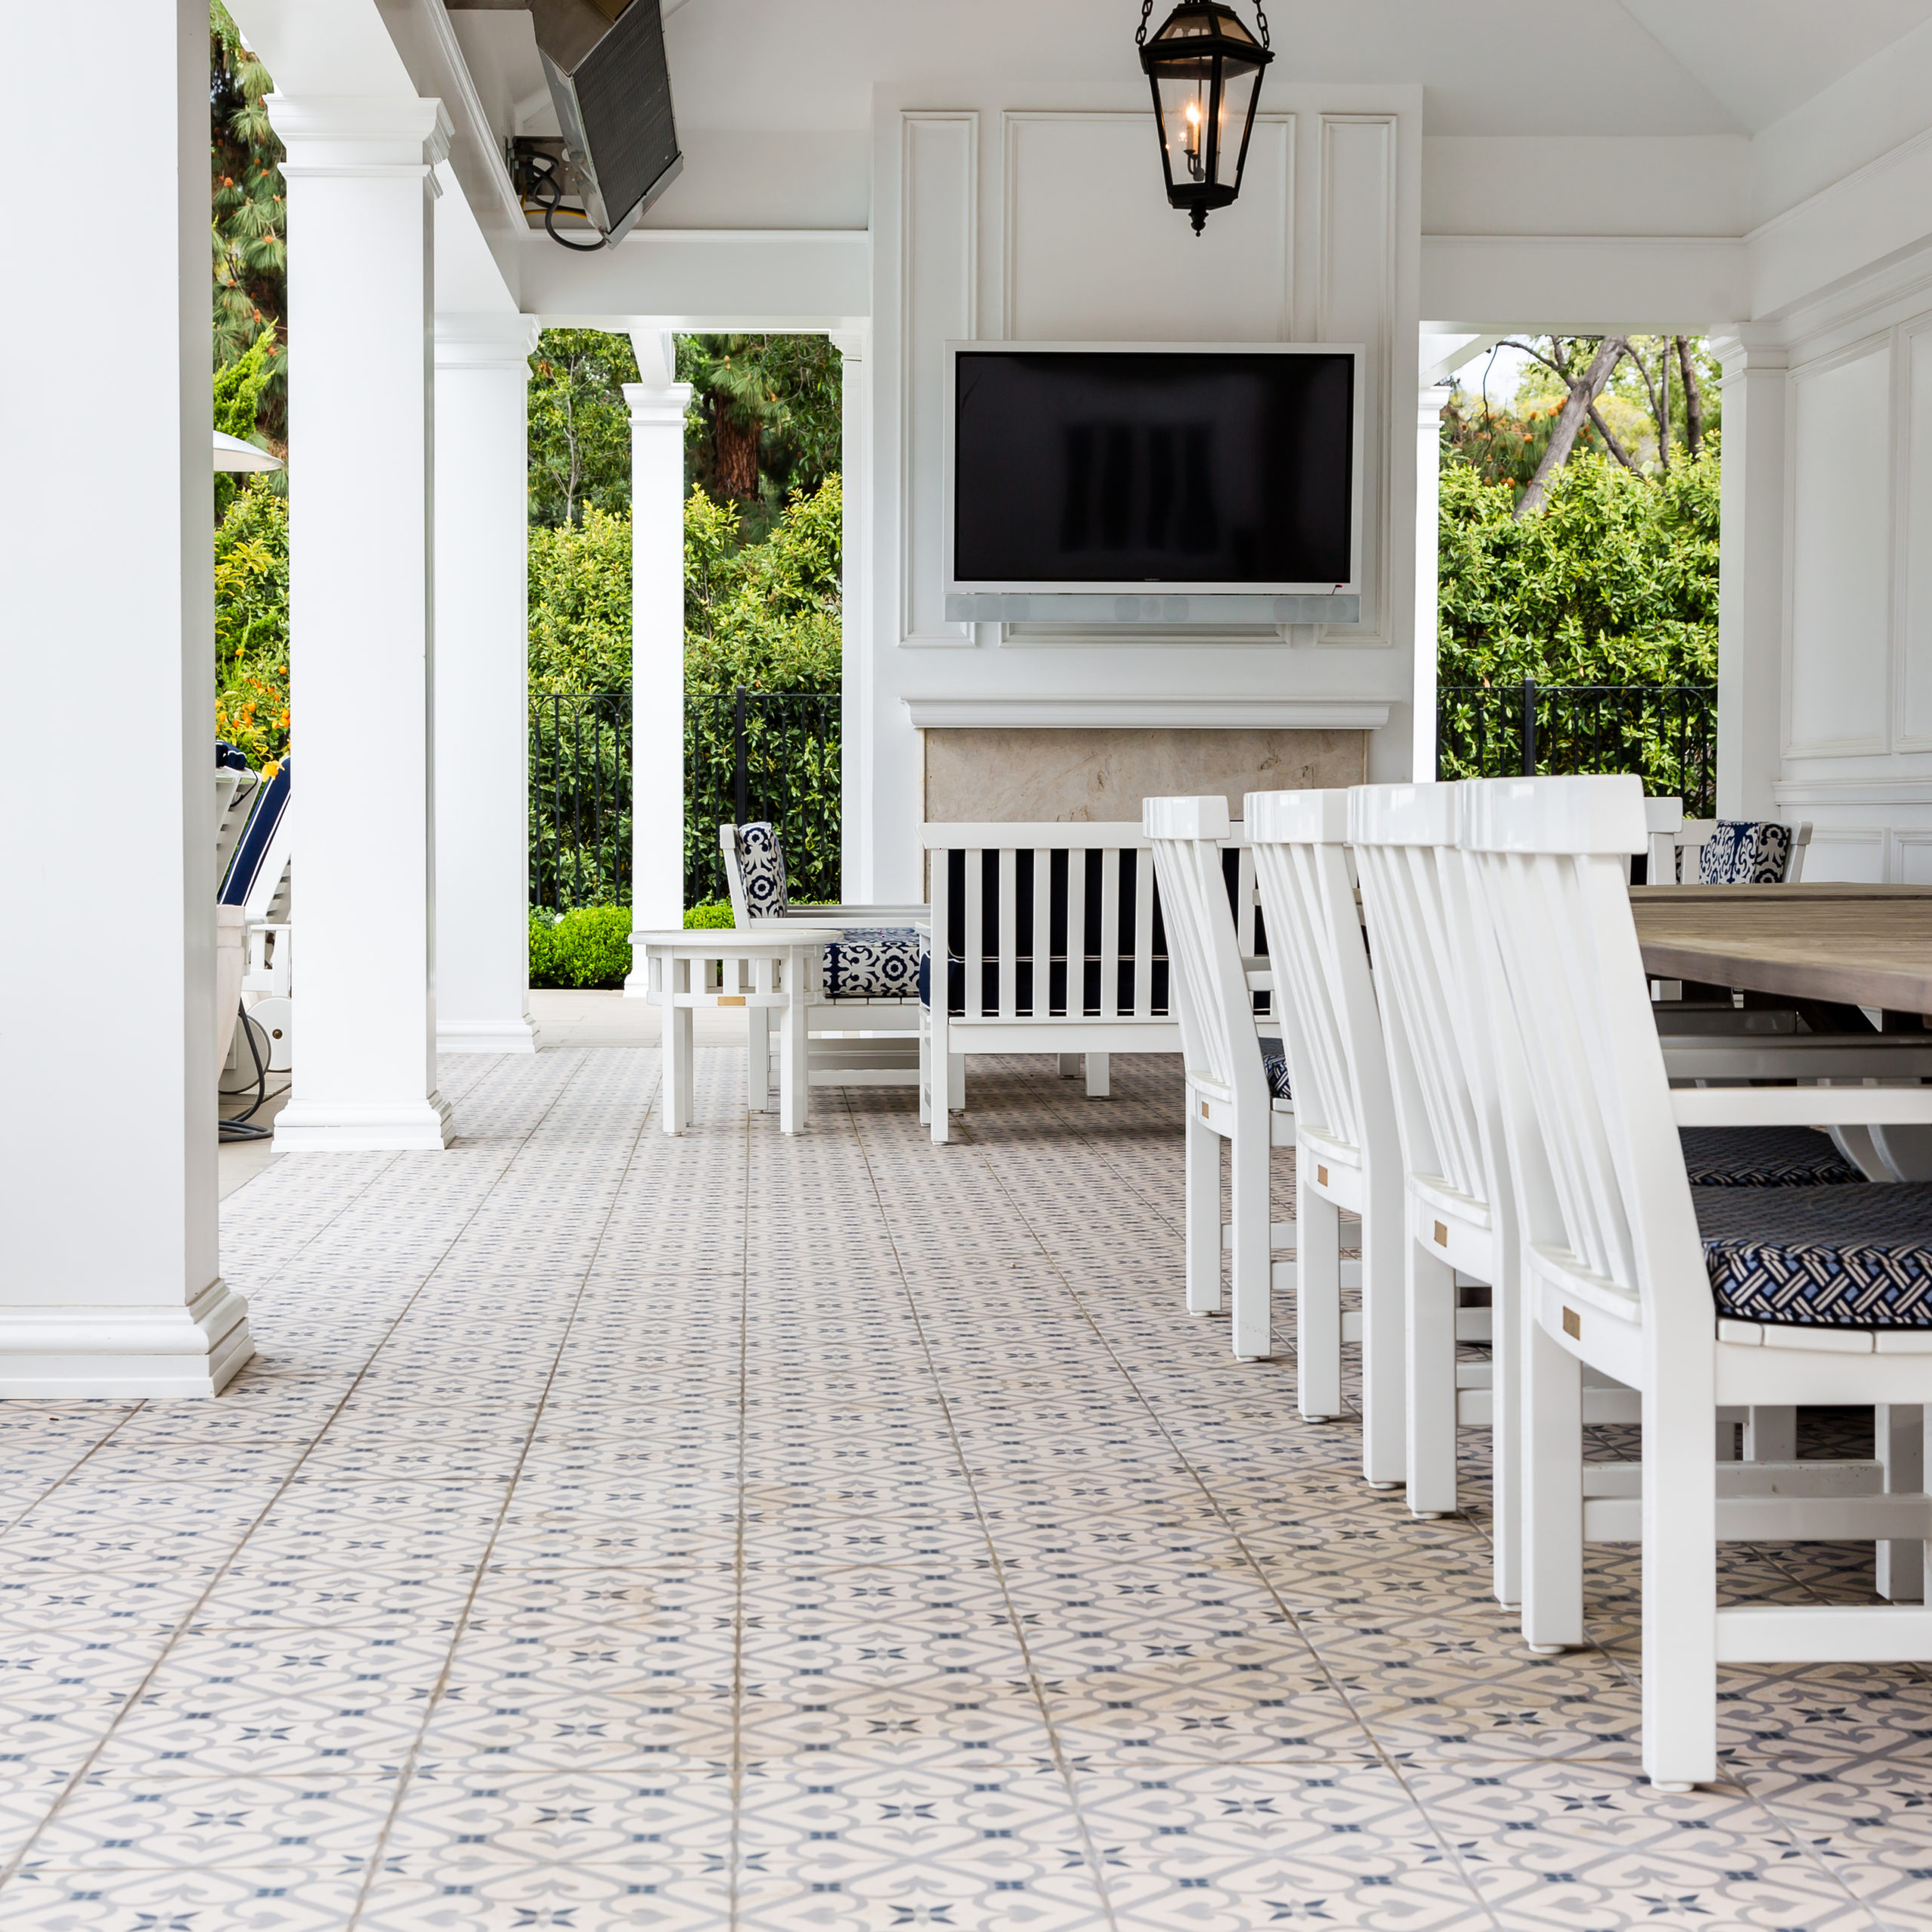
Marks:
<point>1346,1143</point>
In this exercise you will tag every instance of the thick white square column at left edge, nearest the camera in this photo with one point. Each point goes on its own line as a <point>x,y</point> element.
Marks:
<point>109,1278</point>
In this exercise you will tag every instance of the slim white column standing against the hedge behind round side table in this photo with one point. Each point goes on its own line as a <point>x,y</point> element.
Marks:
<point>658,409</point>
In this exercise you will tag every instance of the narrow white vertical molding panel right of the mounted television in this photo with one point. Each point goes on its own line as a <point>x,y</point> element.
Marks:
<point>1355,302</point>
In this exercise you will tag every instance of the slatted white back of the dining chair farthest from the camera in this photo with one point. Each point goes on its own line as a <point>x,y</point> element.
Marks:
<point>1218,1038</point>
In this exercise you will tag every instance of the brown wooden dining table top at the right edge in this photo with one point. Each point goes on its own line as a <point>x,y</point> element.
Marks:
<point>1848,946</point>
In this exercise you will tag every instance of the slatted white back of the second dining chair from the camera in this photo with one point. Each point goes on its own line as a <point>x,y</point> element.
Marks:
<point>1415,909</point>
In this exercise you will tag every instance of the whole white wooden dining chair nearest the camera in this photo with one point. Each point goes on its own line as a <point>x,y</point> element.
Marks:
<point>1775,1299</point>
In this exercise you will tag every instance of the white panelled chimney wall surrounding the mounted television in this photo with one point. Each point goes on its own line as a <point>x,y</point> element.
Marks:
<point>1040,217</point>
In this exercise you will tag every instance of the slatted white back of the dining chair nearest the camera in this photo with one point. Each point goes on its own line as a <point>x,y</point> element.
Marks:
<point>1591,1129</point>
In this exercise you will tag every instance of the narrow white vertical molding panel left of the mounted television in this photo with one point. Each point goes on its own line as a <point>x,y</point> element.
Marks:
<point>938,304</point>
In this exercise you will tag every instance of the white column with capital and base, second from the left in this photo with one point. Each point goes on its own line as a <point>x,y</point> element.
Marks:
<point>360,298</point>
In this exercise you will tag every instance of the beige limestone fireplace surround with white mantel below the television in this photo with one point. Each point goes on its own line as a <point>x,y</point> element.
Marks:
<point>1085,760</point>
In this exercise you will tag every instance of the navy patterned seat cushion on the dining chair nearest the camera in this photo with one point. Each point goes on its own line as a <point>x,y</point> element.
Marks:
<point>1821,1257</point>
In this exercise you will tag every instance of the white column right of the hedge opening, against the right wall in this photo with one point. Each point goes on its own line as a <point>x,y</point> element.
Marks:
<point>1751,575</point>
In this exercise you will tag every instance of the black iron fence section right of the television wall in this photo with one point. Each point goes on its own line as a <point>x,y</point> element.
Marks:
<point>1666,733</point>
